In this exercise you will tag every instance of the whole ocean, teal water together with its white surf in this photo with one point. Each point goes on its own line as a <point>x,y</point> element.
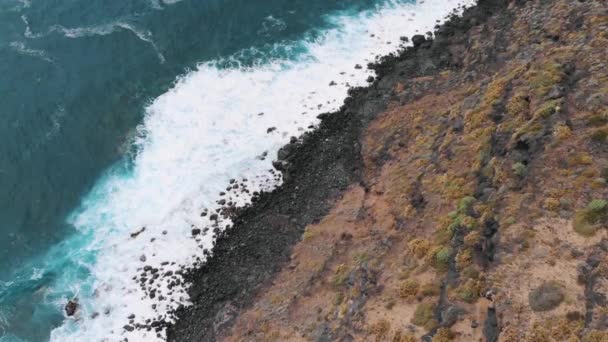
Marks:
<point>123,115</point>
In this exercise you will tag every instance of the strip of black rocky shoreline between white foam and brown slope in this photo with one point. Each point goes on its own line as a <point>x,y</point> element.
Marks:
<point>317,169</point>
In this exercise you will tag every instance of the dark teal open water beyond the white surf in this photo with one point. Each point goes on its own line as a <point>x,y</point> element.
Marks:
<point>76,76</point>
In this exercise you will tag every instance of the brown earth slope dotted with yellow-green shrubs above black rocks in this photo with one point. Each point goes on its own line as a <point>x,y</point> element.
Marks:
<point>482,211</point>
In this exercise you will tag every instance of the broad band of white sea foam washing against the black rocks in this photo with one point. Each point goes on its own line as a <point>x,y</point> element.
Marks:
<point>206,130</point>
